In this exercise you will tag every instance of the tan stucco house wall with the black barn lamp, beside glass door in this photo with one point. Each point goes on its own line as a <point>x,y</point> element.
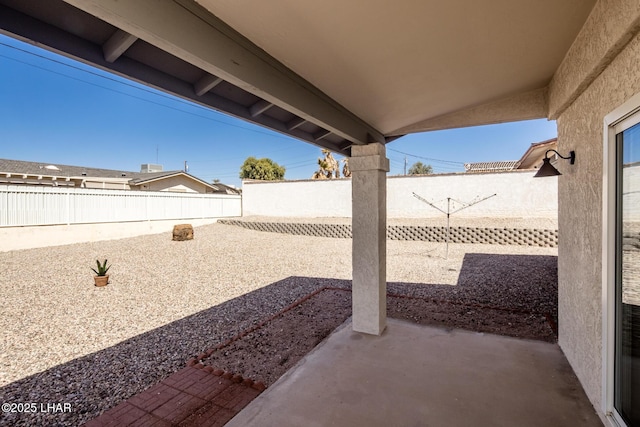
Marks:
<point>580,128</point>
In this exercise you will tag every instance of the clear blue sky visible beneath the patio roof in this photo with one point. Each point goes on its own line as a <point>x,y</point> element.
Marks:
<point>55,110</point>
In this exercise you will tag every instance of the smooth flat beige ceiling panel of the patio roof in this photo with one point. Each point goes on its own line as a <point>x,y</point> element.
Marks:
<point>398,63</point>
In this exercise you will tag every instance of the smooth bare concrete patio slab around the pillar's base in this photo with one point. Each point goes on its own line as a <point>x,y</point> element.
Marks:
<point>416,375</point>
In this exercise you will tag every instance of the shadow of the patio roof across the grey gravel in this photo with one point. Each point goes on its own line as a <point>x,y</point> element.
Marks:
<point>99,381</point>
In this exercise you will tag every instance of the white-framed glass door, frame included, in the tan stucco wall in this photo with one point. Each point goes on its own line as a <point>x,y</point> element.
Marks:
<point>621,265</point>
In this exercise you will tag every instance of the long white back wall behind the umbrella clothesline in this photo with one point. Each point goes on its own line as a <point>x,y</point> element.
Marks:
<point>518,195</point>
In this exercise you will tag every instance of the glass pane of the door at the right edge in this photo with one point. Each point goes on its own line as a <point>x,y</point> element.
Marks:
<point>627,369</point>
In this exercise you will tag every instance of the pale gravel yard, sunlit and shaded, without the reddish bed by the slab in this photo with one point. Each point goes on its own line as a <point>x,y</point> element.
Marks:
<point>66,341</point>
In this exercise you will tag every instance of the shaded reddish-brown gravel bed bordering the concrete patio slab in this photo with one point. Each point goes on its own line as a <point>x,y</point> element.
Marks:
<point>268,350</point>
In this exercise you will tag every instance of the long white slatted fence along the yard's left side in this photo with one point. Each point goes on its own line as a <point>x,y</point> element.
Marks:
<point>27,205</point>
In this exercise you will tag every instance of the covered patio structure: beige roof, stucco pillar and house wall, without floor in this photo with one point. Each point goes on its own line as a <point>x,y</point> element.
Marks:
<point>352,77</point>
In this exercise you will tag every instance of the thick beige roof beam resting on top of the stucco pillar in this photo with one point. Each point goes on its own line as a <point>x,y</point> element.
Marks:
<point>205,41</point>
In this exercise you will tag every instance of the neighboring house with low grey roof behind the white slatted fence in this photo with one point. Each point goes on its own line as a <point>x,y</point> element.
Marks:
<point>56,175</point>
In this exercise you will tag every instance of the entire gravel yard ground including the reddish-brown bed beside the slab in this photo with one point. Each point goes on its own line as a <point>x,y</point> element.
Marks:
<point>170,301</point>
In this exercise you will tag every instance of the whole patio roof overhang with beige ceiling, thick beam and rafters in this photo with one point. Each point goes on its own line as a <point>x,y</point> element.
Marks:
<point>330,73</point>
